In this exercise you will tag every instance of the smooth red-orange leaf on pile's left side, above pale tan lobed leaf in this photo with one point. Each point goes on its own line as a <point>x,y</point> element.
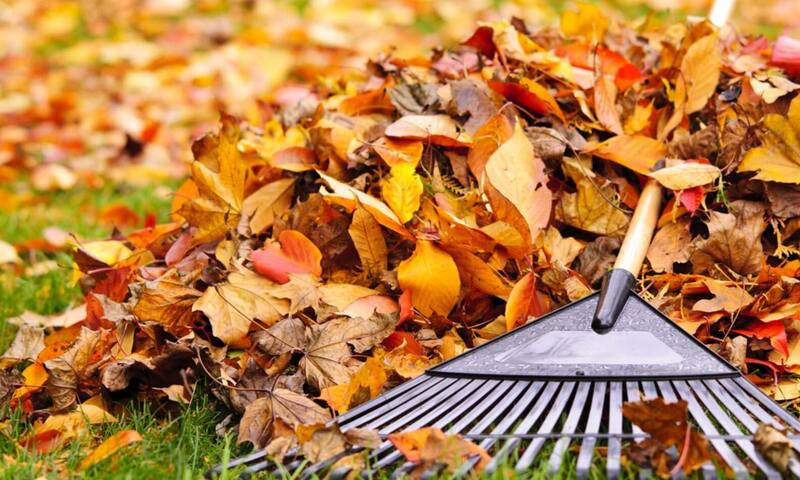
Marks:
<point>297,254</point>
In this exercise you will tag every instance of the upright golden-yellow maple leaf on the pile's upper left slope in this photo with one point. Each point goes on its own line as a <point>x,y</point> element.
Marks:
<point>219,174</point>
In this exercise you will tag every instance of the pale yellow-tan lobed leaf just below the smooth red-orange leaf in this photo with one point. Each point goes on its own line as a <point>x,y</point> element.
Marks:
<point>233,305</point>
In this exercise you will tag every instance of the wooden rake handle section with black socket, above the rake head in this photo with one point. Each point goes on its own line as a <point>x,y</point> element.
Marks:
<point>619,280</point>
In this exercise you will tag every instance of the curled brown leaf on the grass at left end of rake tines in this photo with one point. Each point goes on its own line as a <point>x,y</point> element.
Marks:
<point>258,423</point>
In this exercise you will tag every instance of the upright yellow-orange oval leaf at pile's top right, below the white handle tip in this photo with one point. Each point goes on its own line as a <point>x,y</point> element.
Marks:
<point>700,68</point>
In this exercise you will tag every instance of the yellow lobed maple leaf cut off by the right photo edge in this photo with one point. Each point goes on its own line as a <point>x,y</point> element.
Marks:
<point>778,159</point>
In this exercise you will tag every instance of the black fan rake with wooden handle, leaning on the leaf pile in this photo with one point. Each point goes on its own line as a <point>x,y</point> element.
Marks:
<point>559,383</point>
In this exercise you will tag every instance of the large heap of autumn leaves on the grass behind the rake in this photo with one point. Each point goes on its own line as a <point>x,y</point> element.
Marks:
<point>419,207</point>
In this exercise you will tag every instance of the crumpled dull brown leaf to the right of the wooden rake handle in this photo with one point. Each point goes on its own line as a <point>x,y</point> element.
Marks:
<point>734,239</point>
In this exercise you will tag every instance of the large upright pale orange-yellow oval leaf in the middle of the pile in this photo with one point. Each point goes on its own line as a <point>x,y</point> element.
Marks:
<point>519,176</point>
